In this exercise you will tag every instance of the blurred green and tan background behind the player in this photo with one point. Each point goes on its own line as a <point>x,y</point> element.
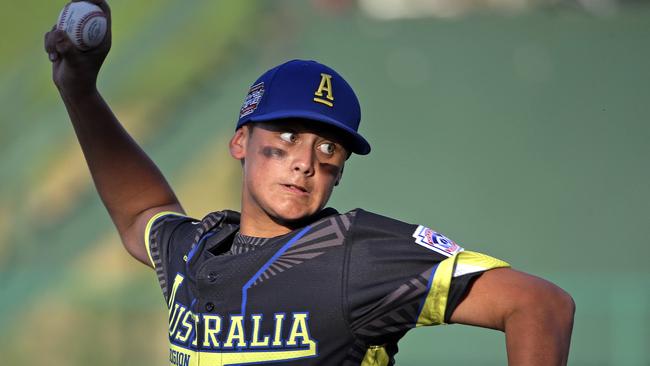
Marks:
<point>520,129</point>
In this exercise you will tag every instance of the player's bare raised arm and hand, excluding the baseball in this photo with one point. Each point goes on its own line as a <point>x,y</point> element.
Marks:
<point>130,185</point>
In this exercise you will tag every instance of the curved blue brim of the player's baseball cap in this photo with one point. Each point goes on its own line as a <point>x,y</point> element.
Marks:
<point>358,144</point>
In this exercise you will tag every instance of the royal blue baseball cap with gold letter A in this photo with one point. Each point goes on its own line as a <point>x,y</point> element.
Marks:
<point>308,90</point>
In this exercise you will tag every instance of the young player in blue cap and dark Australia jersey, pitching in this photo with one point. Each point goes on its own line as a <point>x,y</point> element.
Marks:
<point>288,281</point>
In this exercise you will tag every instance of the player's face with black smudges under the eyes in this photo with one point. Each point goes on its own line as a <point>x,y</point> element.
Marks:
<point>290,169</point>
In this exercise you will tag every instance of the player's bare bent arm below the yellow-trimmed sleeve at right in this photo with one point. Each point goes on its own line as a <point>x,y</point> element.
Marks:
<point>536,315</point>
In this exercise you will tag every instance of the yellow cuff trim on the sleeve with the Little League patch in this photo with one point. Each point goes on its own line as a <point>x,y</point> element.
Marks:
<point>435,304</point>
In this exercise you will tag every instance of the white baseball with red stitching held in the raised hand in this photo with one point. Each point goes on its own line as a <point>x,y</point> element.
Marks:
<point>85,24</point>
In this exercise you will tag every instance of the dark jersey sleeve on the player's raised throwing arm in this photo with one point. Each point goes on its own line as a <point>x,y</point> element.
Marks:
<point>168,237</point>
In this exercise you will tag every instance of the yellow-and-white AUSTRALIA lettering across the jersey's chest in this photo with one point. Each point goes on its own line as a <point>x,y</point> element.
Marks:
<point>225,341</point>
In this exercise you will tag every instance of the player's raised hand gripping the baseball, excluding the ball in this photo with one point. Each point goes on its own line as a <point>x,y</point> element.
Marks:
<point>74,71</point>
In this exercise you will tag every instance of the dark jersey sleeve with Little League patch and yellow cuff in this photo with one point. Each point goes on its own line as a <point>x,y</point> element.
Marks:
<point>401,276</point>
